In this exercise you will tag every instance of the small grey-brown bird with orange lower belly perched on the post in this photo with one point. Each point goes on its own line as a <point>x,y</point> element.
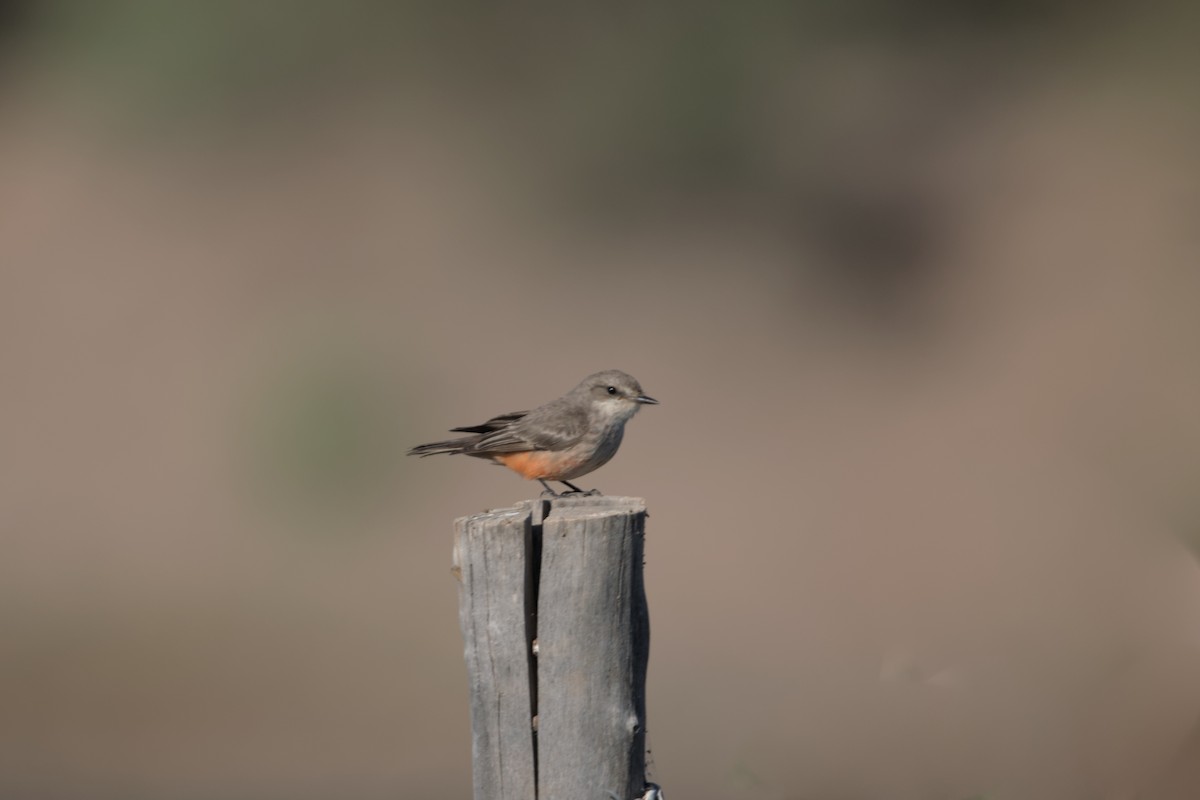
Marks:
<point>561,441</point>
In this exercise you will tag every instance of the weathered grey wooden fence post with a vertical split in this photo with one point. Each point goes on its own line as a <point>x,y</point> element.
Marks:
<point>556,631</point>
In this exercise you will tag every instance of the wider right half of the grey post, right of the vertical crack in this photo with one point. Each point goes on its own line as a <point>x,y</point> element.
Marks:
<point>593,637</point>
